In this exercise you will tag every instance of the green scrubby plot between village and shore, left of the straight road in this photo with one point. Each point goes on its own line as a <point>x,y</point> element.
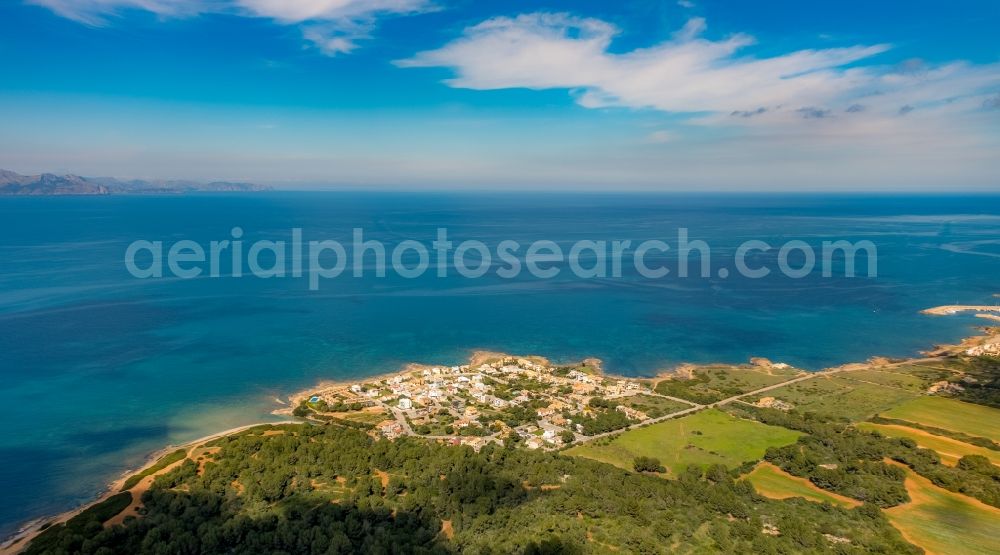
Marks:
<point>714,383</point>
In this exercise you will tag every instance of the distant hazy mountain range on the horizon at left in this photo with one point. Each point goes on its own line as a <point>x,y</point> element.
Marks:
<point>48,184</point>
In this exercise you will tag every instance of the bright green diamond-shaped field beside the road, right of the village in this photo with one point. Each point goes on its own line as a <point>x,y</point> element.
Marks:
<point>706,437</point>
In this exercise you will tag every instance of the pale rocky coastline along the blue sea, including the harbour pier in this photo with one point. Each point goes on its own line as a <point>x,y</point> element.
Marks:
<point>17,541</point>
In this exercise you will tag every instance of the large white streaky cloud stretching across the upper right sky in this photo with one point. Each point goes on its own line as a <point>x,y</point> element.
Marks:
<point>691,74</point>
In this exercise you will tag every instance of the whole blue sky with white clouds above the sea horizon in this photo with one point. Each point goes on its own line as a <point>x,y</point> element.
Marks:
<point>690,95</point>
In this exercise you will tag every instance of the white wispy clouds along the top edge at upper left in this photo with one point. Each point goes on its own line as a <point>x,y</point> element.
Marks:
<point>333,26</point>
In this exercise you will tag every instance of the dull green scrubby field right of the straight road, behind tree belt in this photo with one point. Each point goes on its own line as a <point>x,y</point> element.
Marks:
<point>841,397</point>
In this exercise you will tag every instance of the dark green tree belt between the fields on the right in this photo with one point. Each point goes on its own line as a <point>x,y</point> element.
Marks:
<point>843,459</point>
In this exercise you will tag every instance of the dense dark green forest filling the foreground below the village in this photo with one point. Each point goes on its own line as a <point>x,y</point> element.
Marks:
<point>329,489</point>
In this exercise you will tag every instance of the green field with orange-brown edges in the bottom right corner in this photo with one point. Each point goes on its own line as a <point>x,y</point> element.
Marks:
<point>944,522</point>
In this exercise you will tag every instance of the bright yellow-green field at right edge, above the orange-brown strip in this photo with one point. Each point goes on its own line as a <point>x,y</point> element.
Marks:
<point>949,414</point>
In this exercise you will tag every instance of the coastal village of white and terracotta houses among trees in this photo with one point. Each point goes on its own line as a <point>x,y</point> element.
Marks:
<point>524,400</point>
